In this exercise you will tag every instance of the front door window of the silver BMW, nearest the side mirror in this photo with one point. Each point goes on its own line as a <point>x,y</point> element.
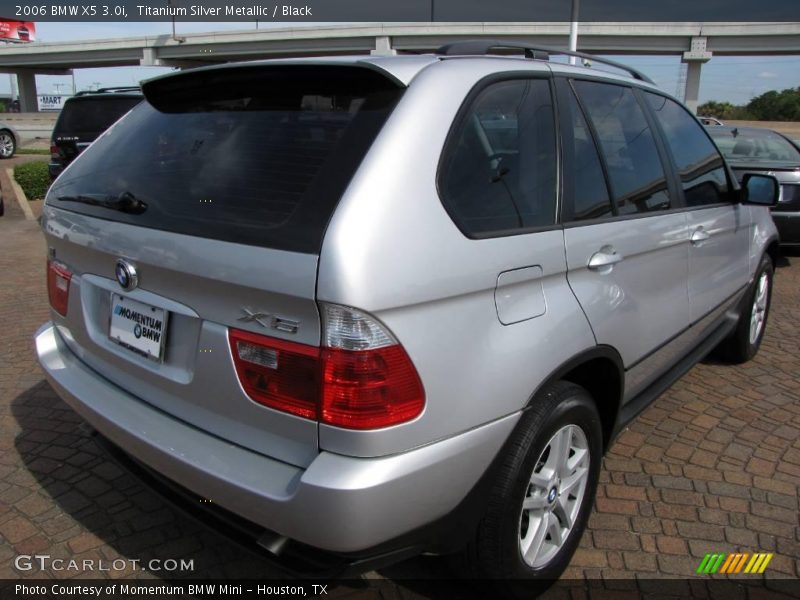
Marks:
<point>699,162</point>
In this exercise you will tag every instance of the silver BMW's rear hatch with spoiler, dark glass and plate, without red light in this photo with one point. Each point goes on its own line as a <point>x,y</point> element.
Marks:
<point>215,193</point>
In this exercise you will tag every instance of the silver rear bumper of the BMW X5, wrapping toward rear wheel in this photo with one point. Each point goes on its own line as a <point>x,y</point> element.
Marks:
<point>338,504</point>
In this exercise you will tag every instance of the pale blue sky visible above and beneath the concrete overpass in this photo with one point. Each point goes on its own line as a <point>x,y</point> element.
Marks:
<point>732,79</point>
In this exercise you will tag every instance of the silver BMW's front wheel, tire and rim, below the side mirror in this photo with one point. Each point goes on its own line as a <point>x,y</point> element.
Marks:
<point>745,340</point>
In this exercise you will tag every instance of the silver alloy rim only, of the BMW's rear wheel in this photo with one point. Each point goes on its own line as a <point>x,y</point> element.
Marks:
<point>554,496</point>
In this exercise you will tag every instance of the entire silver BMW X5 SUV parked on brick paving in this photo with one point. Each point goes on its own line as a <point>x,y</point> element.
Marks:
<point>377,306</point>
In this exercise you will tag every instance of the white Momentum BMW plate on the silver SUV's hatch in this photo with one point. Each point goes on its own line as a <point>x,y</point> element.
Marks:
<point>129,317</point>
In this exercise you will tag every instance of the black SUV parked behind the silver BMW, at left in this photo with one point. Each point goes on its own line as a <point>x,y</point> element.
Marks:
<point>83,118</point>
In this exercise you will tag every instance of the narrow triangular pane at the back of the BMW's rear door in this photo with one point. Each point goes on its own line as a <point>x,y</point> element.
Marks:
<point>590,199</point>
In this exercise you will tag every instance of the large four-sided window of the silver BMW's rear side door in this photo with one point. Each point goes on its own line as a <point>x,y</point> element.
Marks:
<point>635,171</point>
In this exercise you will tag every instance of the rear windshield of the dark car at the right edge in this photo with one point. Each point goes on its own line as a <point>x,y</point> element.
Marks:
<point>754,145</point>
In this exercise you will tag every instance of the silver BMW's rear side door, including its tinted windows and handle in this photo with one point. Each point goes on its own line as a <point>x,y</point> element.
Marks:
<point>629,274</point>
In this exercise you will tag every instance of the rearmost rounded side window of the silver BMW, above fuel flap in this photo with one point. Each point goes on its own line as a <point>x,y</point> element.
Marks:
<point>499,168</point>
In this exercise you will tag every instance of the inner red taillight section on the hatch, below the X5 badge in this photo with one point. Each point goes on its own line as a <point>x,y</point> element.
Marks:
<point>279,374</point>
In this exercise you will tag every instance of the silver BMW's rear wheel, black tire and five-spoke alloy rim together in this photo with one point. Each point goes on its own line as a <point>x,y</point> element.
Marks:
<point>504,544</point>
